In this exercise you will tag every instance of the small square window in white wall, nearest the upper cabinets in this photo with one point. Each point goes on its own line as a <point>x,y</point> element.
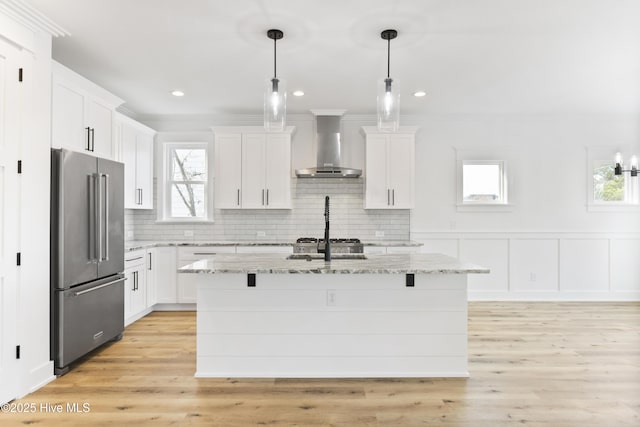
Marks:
<point>483,182</point>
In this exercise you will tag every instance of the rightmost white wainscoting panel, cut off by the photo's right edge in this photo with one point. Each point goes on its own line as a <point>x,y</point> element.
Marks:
<point>625,265</point>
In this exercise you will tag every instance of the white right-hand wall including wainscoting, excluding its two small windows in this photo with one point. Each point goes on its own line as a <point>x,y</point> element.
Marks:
<point>548,246</point>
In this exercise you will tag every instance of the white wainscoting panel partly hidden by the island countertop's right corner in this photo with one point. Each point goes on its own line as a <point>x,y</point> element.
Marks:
<point>491,253</point>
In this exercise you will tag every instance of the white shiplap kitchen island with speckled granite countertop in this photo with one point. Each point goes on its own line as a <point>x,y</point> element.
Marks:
<point>263,315</point>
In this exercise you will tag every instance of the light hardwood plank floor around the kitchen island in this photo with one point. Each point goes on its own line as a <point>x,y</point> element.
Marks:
<point>534,364</point>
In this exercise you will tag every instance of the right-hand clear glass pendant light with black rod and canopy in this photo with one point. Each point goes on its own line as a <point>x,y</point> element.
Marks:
<point>388,92</point>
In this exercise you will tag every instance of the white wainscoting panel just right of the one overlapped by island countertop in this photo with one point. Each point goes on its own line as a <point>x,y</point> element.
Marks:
<point>533,265</point>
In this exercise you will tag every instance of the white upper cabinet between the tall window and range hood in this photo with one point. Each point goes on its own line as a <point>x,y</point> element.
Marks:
<point>253,168</point>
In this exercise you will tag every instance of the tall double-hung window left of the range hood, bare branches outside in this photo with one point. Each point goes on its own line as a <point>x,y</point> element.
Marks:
<point>185,184</point>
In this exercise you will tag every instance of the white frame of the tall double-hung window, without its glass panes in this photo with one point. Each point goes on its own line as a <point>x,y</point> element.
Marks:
<point>165,182</point>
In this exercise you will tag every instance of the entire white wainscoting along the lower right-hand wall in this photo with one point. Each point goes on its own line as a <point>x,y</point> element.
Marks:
<point>545,265</point>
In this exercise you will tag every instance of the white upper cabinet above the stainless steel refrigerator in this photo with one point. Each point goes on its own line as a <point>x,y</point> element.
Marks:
<point>82,114</point>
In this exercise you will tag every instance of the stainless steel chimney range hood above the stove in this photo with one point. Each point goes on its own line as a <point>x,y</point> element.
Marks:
<point>329,150</point>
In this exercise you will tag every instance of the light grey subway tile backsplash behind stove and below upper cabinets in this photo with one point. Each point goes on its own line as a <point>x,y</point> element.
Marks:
<point>306,218</point>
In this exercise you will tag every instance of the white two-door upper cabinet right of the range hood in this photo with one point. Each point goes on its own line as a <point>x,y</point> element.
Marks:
<point>389,168</point>
